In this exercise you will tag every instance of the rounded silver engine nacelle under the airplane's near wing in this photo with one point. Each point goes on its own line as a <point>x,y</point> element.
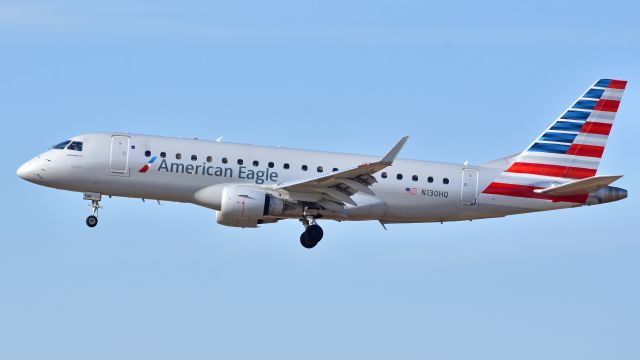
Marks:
<point>247,206</point>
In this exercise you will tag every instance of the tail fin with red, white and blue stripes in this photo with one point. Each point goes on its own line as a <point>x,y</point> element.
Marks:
<point>571,147</point>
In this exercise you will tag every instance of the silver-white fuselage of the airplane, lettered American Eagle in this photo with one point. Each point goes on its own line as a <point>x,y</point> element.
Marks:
<point>196,171</point>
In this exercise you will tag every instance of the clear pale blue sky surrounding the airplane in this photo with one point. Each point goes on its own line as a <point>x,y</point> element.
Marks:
<point>467,80</point>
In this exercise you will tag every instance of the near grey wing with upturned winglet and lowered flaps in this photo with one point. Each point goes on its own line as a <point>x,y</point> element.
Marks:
<point>335,190</point>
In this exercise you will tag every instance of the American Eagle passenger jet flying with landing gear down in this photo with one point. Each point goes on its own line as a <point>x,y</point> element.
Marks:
<point>250,185</point>
